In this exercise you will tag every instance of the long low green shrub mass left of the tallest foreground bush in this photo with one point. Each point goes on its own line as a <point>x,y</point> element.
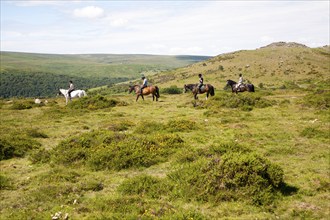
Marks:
<point>104,150</point>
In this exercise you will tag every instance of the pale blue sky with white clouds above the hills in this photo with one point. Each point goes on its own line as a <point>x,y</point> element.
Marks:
<point>161,27</point>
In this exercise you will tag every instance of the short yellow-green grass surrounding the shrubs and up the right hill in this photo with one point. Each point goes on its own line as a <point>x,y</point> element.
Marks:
<point>275,132</point>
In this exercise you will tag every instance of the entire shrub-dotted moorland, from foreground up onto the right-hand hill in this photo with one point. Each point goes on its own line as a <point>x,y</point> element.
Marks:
<point>262,155</point>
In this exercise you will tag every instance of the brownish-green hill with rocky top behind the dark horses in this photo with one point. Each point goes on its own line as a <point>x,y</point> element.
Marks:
<point>278,65</point>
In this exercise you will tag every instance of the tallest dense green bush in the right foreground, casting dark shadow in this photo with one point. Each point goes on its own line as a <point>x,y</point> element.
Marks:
<point>224,175</point>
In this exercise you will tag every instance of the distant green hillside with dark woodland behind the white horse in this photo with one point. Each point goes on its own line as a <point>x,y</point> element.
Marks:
<point>31,74</point>
